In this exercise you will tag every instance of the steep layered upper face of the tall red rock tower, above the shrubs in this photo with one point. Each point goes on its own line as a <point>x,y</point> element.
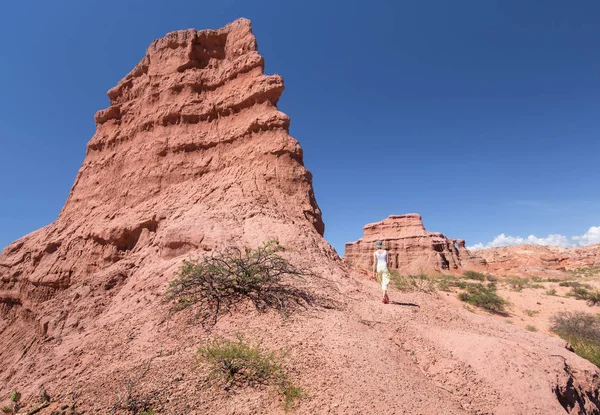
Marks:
<point>191,153</point>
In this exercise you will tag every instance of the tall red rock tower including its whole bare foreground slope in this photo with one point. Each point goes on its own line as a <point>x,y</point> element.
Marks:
<point>193,155</point>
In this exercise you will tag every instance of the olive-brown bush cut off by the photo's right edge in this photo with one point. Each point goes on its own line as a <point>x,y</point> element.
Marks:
<point>582,331</point>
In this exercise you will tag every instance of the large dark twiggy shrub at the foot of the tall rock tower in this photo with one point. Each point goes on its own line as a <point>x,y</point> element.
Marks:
<point>218,283</point>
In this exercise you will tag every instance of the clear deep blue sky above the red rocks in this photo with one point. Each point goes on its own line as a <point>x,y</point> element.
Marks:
<point>483,116</point>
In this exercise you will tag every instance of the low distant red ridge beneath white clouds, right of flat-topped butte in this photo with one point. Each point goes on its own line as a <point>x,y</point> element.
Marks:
<point>528,260</point>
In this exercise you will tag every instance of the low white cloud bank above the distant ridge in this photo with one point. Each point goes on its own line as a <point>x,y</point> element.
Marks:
<point>592,236</point>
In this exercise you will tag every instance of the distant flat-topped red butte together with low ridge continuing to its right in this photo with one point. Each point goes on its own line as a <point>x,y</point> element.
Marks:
<point>415,250</point>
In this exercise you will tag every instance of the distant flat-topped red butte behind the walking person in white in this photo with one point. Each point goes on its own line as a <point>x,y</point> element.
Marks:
<point>411,247</point>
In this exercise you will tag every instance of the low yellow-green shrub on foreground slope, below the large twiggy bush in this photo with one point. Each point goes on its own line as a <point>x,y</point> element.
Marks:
<point>237,364</point>
